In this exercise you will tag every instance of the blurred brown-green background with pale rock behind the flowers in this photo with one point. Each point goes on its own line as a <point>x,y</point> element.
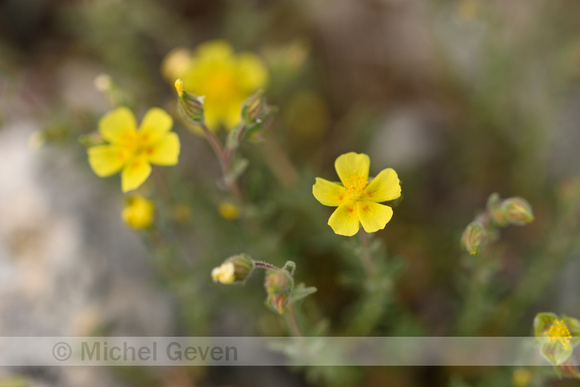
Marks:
<point>462,98</point>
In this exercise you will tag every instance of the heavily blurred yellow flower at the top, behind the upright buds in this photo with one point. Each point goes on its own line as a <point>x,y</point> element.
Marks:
<point>225,80</point>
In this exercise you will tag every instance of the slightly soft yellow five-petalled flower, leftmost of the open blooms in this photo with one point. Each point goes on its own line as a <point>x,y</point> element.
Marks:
<point>131,150</point>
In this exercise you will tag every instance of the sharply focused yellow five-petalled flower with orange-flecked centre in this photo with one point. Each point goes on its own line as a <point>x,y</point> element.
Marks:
<point>357,199</point>
